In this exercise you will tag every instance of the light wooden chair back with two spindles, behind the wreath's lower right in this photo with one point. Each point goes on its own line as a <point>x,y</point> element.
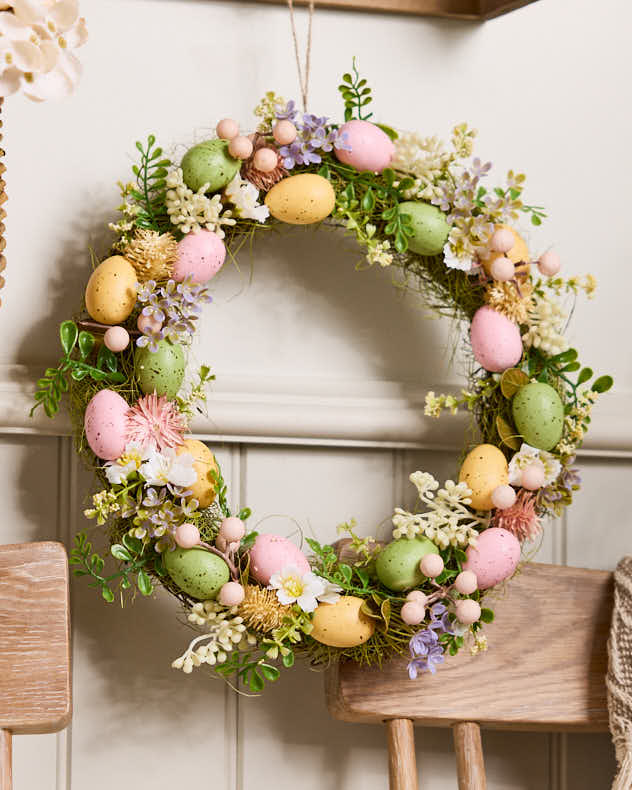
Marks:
<point>545,670</point>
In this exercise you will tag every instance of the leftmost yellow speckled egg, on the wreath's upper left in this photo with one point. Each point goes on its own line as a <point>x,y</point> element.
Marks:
<point>111,291</point>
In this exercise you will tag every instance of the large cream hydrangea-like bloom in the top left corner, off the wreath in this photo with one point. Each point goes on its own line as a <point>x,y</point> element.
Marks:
<point>36,42</point>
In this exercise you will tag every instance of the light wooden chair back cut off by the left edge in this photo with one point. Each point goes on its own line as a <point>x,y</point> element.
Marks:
<point>34,644</point>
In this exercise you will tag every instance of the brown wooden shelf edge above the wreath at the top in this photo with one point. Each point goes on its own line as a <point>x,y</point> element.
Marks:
<point>451,9</point>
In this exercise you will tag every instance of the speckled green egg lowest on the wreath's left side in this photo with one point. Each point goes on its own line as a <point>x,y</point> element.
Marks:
<point>197,572</point>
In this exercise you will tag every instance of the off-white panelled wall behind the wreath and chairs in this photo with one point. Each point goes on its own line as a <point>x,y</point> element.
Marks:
<point>316,413</point>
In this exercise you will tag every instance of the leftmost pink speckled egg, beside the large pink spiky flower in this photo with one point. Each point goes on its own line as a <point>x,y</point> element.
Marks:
<point>105,424</point>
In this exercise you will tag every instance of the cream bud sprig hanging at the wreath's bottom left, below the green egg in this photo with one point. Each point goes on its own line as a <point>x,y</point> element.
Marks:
<point>225,630</point>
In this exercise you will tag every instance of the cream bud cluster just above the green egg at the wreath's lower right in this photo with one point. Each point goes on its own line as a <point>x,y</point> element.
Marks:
<point>447,521</point>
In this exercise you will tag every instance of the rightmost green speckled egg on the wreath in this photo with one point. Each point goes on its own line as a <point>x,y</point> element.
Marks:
<point>539,415</point>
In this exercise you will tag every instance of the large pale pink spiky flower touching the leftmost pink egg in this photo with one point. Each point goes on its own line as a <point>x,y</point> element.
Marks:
<point>155,423</point>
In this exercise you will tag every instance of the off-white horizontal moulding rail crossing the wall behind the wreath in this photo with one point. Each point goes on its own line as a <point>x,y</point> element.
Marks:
<point>317,411</point>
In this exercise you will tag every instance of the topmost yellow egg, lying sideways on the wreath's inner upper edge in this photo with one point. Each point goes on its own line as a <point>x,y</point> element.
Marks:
<point>301,199</point>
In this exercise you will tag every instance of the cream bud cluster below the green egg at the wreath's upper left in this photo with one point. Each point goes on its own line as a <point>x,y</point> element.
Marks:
<point>191,211</point>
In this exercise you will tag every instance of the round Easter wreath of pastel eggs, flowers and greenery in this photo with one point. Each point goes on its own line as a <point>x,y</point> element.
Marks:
<point>414,205</point>
